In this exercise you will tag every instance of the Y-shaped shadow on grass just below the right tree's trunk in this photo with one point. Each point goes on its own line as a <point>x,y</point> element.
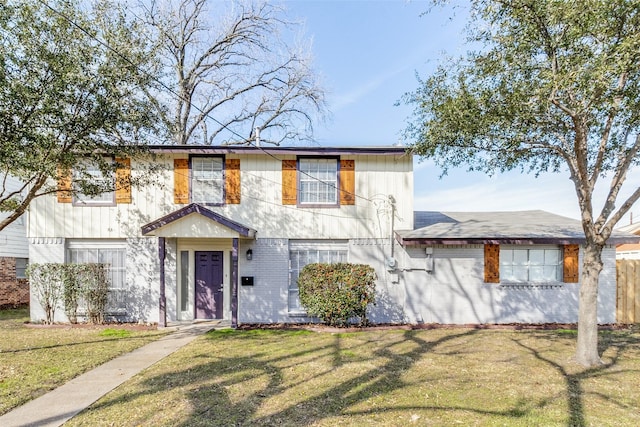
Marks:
<point>574,381</point>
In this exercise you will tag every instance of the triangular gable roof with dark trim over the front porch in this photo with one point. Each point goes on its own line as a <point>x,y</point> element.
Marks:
<point>183,223</point>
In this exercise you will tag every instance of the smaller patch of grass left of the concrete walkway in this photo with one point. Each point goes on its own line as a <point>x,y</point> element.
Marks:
<point>34,360</point>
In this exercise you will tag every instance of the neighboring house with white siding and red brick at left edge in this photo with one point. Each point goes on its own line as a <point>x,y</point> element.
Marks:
<point>14,254</point>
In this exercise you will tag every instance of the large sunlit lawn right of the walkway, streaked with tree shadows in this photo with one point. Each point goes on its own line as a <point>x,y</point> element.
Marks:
<point>387,378</point>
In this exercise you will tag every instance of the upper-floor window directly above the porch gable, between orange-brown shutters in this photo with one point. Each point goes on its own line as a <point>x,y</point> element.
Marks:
<point>207,180</point>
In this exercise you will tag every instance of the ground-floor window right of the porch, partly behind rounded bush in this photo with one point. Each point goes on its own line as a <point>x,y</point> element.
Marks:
<point>302,253</point>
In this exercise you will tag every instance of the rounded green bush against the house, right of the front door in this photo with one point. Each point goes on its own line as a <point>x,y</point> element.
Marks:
<point>337,292</point>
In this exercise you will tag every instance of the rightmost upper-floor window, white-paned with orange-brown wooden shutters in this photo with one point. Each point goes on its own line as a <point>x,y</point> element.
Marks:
<point>318,181</point>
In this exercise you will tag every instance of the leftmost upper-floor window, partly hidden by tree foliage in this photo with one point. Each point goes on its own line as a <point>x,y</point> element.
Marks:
<point>94,186</point>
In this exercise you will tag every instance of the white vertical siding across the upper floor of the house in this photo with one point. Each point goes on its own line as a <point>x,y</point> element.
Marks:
<point>261,208</point>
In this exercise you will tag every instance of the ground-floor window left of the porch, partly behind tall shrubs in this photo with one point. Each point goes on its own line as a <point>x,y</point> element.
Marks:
<point>113,255</point>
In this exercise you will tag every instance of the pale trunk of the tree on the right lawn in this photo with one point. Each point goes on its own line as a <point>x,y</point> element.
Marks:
<point>587,347</point>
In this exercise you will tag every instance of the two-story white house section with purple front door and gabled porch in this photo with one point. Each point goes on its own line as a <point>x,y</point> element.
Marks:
<point>222,232</point>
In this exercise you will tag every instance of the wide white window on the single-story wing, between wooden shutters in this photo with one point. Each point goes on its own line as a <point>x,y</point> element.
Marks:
<point>531,265</point>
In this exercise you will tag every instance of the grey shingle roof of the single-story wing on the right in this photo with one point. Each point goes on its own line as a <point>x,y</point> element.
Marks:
<point>512,227</point>
